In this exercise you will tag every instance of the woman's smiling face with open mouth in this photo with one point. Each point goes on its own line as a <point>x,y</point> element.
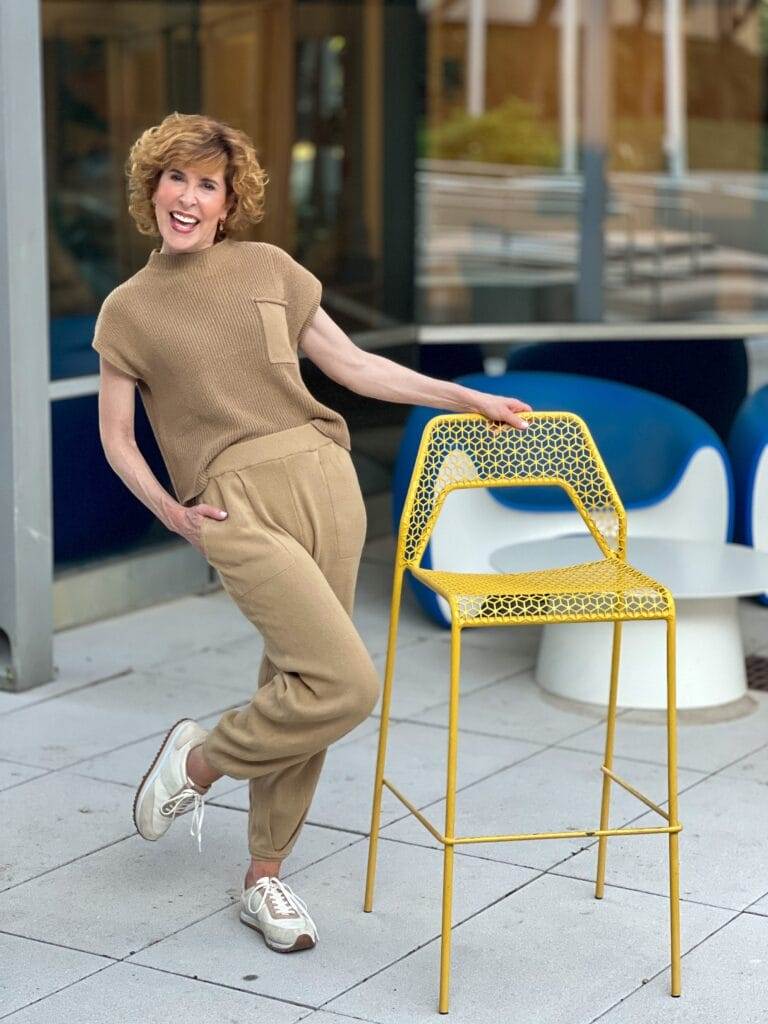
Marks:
<point>190,202</point>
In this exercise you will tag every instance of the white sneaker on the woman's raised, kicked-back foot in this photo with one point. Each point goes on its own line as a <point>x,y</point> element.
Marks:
<point>166,790</point>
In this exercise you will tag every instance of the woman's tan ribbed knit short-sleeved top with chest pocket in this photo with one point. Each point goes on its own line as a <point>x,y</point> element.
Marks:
<point>211,338</point>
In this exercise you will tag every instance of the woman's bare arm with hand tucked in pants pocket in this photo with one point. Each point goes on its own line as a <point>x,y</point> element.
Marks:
<point>117,399</point>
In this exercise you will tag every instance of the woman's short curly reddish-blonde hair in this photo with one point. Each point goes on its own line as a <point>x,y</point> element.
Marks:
<point>194,139</point>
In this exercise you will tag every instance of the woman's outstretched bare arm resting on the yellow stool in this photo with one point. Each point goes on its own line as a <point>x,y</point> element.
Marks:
<point>376,377</point>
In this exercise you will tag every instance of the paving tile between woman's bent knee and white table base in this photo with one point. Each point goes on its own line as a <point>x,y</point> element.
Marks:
<point>422,673</point>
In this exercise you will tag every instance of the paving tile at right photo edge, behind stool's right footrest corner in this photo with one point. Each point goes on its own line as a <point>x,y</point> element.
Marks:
<point>722,847</point>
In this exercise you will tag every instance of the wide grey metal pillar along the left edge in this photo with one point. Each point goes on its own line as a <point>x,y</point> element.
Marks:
<point>26,548</point>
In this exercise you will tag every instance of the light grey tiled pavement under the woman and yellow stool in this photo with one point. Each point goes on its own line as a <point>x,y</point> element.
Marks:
<point>99,926</point>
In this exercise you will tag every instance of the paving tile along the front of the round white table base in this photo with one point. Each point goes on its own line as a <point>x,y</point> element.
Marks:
<point>707,741</point>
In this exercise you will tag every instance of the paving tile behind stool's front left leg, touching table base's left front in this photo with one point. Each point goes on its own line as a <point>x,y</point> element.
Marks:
<point>516,708</point>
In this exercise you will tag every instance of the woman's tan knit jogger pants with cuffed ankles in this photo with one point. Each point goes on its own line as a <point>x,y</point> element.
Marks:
<point>288,554</point>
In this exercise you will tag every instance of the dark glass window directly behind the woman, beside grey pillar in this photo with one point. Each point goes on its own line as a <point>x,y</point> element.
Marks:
<point>307,81</point>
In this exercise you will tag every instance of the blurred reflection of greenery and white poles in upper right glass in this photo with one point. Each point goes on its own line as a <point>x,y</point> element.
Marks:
<point>501,187</point>
